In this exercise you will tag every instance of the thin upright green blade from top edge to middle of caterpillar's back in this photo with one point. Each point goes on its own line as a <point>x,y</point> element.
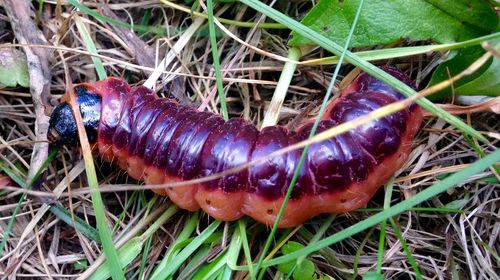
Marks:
<point>216,61</point>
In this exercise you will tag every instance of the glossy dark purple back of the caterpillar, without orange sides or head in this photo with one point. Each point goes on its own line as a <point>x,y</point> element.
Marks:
<point>189,144</point>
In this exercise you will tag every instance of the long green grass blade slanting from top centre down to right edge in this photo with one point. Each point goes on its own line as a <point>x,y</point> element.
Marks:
<point>367,67</point>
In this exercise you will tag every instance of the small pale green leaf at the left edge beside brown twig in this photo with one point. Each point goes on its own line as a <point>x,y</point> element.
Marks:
<point>13,68</point>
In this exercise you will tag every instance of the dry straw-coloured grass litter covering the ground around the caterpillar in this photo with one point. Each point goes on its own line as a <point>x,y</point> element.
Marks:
<point>462,242</point>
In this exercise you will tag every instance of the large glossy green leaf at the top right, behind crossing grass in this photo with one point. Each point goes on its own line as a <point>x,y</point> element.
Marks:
<point>383,22</point>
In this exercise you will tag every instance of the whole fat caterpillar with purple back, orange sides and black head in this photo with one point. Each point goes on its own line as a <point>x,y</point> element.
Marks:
<point>158,140</point>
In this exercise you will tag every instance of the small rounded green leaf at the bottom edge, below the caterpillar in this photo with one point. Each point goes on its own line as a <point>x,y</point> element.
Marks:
<point>304,270</point>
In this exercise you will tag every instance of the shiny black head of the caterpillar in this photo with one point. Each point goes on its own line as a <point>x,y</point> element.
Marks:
<point>62,124</point>
